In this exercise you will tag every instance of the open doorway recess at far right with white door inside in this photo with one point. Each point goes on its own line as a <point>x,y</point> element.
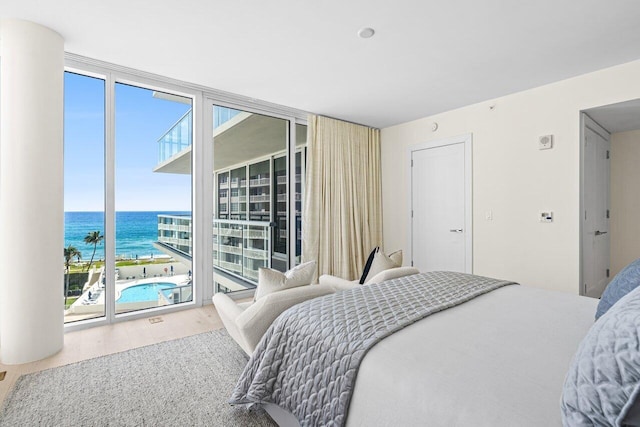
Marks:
<point>610,237</point>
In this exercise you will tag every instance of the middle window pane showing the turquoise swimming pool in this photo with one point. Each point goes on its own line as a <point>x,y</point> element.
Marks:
<point>153,236</point>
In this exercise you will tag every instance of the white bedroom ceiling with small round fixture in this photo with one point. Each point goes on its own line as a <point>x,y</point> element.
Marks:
<point>426,57</point>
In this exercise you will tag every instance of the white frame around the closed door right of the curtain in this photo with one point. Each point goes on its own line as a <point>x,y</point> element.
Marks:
<point>467,140</point>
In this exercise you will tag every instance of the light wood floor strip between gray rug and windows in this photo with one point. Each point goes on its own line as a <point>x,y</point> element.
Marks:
<point>109,339</point>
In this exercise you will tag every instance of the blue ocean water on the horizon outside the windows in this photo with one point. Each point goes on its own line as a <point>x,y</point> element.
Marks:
<point>135,232</point>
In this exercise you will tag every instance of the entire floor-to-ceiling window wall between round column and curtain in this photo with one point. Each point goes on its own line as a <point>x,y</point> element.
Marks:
<point>135,187</point>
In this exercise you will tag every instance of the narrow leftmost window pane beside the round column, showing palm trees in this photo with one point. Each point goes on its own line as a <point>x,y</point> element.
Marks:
<point>84,167</point>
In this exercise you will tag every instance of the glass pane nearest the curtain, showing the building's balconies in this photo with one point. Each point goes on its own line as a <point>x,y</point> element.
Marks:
<point>250,207</point>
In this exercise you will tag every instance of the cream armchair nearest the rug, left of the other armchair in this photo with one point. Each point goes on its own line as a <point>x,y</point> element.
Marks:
<point>247,322</point>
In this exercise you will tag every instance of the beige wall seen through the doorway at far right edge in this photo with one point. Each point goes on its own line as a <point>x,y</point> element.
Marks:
<point>625,199</point>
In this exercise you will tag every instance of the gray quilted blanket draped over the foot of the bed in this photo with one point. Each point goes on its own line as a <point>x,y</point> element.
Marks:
<point>308,359</point>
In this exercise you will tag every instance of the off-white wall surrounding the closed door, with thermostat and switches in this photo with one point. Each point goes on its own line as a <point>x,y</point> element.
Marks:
<point>511,177</point>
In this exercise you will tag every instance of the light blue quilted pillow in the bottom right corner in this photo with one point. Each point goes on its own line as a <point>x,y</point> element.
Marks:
<point>602,387</point>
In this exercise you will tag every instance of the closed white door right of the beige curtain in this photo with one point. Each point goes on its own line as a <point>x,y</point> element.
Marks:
<point>440,199</point>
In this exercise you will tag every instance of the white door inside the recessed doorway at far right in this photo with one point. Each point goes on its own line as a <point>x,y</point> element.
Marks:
<point>595,230</point>
